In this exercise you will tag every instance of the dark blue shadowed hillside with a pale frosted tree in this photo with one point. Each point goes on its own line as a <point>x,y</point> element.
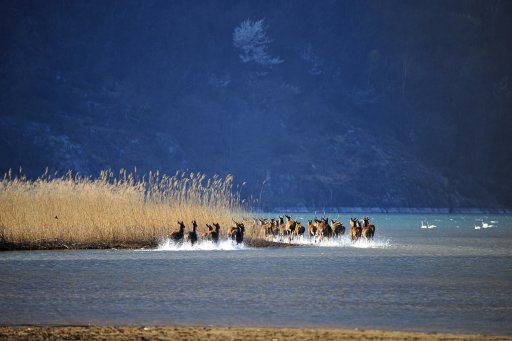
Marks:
<point>313,104</point>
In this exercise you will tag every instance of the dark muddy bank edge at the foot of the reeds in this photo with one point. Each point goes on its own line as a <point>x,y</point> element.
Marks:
<point>47,245</point>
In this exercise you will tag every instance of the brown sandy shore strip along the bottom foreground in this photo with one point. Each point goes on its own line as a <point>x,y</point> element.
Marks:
<point>221,333</point>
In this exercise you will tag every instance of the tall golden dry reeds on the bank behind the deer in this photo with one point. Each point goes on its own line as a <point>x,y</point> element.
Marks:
<point>112,208</point>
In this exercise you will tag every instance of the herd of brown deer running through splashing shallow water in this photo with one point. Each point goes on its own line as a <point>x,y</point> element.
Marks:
<point>288,230</point>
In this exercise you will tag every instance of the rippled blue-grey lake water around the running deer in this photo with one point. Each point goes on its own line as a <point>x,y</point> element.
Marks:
<point>450,278</point>
